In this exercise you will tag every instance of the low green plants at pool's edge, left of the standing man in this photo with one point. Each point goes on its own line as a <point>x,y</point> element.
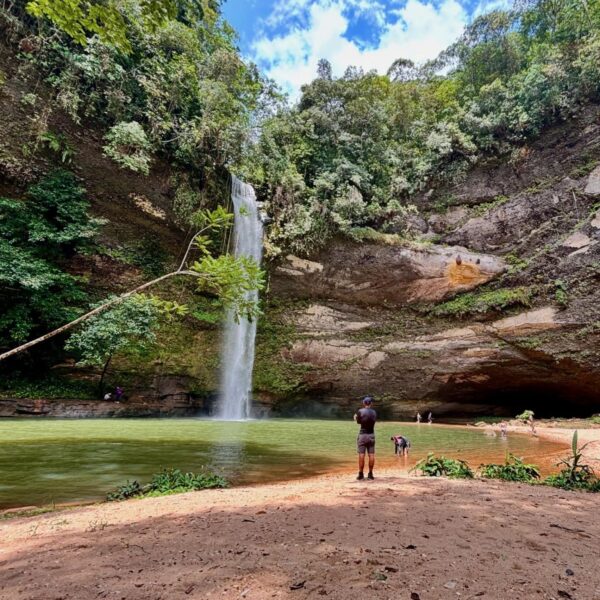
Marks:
<point>169,481</point>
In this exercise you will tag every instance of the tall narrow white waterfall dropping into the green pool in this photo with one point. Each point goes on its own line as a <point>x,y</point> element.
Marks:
<point>238,344</point>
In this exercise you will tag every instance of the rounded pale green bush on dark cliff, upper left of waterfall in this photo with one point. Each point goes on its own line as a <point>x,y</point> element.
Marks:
<point>129,146</point>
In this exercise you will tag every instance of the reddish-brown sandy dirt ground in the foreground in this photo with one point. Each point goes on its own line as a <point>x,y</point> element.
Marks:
<point>332,537</point>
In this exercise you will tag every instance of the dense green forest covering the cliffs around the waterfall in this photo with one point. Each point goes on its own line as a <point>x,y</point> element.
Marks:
<point>167,92</point>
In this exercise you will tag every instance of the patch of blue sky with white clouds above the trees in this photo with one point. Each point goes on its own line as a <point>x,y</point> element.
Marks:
<point>286,38</point>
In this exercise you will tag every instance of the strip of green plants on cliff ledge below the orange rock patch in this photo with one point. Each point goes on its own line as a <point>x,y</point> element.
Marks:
<point>484,302</point>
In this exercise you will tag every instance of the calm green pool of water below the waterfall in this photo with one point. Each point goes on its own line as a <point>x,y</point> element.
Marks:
<point>58,461</point>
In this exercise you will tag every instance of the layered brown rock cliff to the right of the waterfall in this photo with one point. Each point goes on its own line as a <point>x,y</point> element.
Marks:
<point>497,308</point>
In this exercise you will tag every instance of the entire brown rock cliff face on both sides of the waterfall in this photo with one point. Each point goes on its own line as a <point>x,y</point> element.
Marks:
<point>493,307</point>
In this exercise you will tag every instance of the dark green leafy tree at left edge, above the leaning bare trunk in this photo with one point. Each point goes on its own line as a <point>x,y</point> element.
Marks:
<point>37,234</point>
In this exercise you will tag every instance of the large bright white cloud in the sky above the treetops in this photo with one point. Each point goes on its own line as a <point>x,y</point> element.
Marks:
<point>419,30</point>
